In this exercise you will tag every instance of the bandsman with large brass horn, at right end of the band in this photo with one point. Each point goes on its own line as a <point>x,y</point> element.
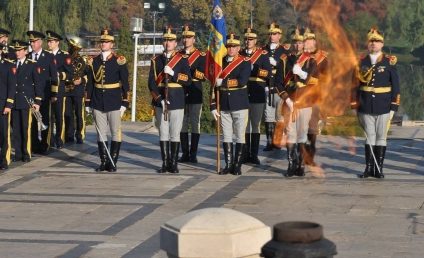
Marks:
<point>74,91</point>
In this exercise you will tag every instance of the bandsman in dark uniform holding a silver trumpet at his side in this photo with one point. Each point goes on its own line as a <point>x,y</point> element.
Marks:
<point>28,90</point>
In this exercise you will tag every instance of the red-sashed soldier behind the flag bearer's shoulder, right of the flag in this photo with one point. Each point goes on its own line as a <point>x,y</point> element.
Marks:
<point>259,79</point>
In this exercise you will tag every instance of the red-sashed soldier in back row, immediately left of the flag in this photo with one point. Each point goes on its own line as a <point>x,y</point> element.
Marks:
<point>194,96</point>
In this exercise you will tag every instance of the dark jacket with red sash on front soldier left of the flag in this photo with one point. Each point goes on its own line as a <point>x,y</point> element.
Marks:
<point>176,84</point>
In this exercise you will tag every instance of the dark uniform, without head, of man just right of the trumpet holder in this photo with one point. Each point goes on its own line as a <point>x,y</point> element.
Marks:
<point>47,71</point>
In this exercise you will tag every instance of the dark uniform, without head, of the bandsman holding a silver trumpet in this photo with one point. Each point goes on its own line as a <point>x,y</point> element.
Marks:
<point>29,82</point>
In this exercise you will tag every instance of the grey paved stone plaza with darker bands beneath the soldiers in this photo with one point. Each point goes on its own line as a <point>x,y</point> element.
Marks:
<point>56,206</point>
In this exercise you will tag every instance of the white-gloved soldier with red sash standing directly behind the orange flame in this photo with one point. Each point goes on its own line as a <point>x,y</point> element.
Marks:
<point>295,89</point>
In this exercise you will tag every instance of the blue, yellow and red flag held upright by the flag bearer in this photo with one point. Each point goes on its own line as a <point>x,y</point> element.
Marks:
<point>216,43</point>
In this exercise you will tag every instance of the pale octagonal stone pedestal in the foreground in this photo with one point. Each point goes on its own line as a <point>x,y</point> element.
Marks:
<point>214,233</point>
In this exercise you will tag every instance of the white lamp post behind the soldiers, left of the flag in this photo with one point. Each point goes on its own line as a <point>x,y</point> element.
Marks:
<point>136,27</point>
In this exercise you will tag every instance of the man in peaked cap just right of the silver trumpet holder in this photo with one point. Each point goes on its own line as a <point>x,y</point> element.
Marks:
<point>48,72</point>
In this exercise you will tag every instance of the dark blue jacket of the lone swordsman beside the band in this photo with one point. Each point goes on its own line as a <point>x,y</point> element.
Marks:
<point>108,86</point>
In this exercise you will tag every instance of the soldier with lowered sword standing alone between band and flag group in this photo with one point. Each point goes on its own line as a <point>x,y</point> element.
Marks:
<point>107,98</point>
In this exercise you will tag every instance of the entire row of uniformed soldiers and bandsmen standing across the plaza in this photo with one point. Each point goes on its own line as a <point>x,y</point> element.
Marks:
<point>46,95</point>
